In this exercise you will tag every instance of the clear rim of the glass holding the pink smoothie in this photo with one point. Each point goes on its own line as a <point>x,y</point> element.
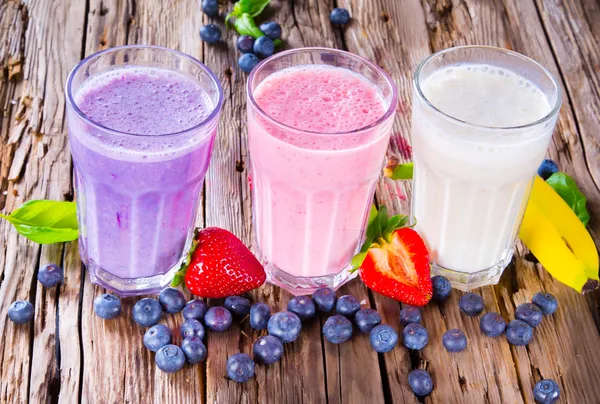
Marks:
<point>391,109</point>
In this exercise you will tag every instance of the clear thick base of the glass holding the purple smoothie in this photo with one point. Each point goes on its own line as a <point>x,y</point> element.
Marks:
<point>131,286</point>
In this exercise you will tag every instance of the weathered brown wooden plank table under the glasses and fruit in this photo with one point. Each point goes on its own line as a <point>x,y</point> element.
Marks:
<point>67,354</point>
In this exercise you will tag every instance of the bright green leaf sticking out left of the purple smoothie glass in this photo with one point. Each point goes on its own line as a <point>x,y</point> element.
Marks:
<point>45,222</point>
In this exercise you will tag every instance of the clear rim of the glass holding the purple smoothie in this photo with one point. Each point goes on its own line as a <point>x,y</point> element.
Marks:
<point>71,100</point>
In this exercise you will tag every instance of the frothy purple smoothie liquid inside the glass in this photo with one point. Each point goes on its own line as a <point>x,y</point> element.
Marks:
<point>137,197</point>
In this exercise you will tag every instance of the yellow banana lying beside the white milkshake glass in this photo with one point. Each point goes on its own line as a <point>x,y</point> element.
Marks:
<point>558,239</point>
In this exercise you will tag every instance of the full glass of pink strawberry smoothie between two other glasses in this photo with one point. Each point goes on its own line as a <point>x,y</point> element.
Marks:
<point>319,123</point>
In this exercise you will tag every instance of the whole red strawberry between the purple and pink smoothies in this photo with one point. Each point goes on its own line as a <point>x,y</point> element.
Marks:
<point>220,265</point>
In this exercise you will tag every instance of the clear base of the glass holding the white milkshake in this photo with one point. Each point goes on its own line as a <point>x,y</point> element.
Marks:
<point>467,281</point>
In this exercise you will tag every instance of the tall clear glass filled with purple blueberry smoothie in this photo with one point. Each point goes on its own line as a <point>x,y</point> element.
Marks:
<point>141,121</point>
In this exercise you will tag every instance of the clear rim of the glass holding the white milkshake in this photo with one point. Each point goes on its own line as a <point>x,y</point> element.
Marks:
<point>553,111</point>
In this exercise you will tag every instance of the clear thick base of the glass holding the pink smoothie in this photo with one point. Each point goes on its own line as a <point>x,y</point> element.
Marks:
<point>298,285</point>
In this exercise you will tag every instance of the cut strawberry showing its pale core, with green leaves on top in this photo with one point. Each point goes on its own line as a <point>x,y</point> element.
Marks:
<point>394,260</point>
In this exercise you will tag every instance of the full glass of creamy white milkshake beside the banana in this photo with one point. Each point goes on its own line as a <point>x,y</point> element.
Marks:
<point>482,119</point>
